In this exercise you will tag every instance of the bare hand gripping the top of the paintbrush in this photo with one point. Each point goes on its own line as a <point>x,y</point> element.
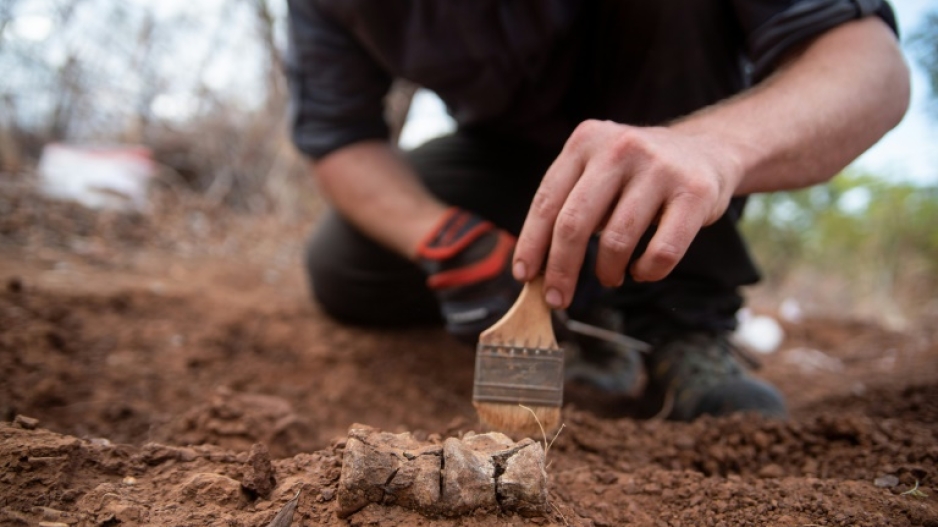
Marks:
<point>621,180</point>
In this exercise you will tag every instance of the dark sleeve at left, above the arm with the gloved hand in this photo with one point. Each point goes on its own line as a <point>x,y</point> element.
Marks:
<point>336,89</point>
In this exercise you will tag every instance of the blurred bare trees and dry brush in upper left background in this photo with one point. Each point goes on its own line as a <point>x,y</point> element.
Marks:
<point>200,83</point>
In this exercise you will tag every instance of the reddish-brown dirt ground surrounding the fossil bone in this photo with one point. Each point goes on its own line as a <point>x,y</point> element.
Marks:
<point>156,351</point>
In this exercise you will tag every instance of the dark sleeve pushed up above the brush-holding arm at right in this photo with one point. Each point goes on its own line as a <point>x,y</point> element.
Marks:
<point>773,27</point>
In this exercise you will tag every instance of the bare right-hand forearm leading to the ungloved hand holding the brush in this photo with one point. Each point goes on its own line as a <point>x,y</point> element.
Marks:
<point>799,127</point>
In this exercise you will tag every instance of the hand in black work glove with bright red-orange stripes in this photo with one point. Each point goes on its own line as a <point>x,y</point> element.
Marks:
<point>468,263</point>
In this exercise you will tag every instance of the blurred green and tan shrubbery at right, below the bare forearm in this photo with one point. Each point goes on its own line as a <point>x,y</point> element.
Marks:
<point>861,238</point>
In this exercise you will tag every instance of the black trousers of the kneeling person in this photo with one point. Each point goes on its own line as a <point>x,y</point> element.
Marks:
<point>358,281</point>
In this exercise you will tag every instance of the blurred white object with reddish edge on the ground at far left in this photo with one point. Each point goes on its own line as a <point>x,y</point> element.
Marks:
<point>99,177</point>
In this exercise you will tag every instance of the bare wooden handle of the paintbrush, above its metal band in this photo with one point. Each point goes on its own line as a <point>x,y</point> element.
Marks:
<point>527,323</point>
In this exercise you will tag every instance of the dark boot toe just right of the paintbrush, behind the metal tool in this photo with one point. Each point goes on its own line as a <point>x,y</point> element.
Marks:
<point>607,366</point>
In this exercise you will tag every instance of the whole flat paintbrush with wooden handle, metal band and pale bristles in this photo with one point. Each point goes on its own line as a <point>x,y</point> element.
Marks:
<point>518,388</point>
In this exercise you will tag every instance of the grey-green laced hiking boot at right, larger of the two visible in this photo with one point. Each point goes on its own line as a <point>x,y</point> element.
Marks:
<point>699,374</point>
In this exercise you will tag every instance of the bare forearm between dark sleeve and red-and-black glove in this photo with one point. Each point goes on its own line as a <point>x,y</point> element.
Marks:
<point>373,187</point>
